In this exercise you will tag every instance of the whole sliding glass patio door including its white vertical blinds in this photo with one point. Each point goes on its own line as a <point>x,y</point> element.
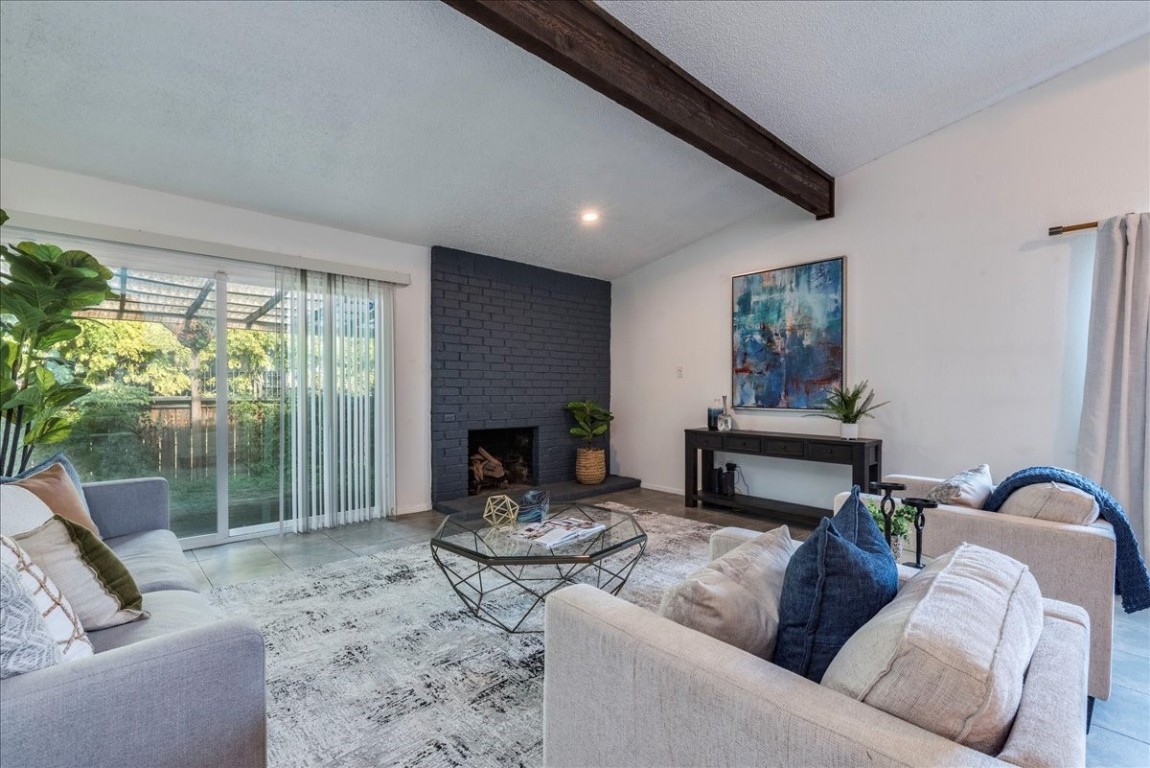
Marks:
<point>263,395</point>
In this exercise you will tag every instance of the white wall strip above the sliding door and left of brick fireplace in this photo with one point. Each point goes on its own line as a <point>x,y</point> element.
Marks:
<point>37,190</point>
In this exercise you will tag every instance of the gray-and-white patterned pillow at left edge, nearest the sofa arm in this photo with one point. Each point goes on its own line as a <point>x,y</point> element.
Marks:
<point>26,644</point>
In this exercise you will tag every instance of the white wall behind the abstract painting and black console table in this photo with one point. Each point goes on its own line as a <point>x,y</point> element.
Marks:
<point>961,310</point>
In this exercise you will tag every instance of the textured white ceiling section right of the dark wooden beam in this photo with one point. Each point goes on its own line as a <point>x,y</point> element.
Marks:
<point>848,82</point>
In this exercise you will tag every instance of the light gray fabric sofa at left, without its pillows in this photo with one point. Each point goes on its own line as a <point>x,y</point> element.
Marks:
<point>180,689</point>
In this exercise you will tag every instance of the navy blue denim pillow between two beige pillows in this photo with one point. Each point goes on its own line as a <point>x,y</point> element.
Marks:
<point>837,581</point>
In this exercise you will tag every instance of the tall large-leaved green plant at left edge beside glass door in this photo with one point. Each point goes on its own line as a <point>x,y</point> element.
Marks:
<point>41,288</point>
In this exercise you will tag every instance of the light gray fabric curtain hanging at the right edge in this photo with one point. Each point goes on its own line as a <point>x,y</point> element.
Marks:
<point>1115,437</point>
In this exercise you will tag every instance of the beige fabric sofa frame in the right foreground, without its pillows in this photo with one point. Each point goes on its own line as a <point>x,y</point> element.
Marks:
<point>625,687</point>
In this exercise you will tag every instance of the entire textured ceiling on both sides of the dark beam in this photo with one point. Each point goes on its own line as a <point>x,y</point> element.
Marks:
<point>408,121</point>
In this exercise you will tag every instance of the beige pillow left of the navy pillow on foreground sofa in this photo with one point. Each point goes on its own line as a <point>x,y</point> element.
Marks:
<point>735,598</point>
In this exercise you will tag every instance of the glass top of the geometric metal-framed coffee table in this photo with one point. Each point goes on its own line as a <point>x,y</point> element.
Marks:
<point>597,534</point>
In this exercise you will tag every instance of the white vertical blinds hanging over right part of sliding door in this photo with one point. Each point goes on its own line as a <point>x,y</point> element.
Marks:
<point>340,396</point>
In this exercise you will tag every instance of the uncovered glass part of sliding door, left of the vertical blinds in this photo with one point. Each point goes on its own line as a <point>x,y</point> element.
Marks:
<point>186,375</point>
